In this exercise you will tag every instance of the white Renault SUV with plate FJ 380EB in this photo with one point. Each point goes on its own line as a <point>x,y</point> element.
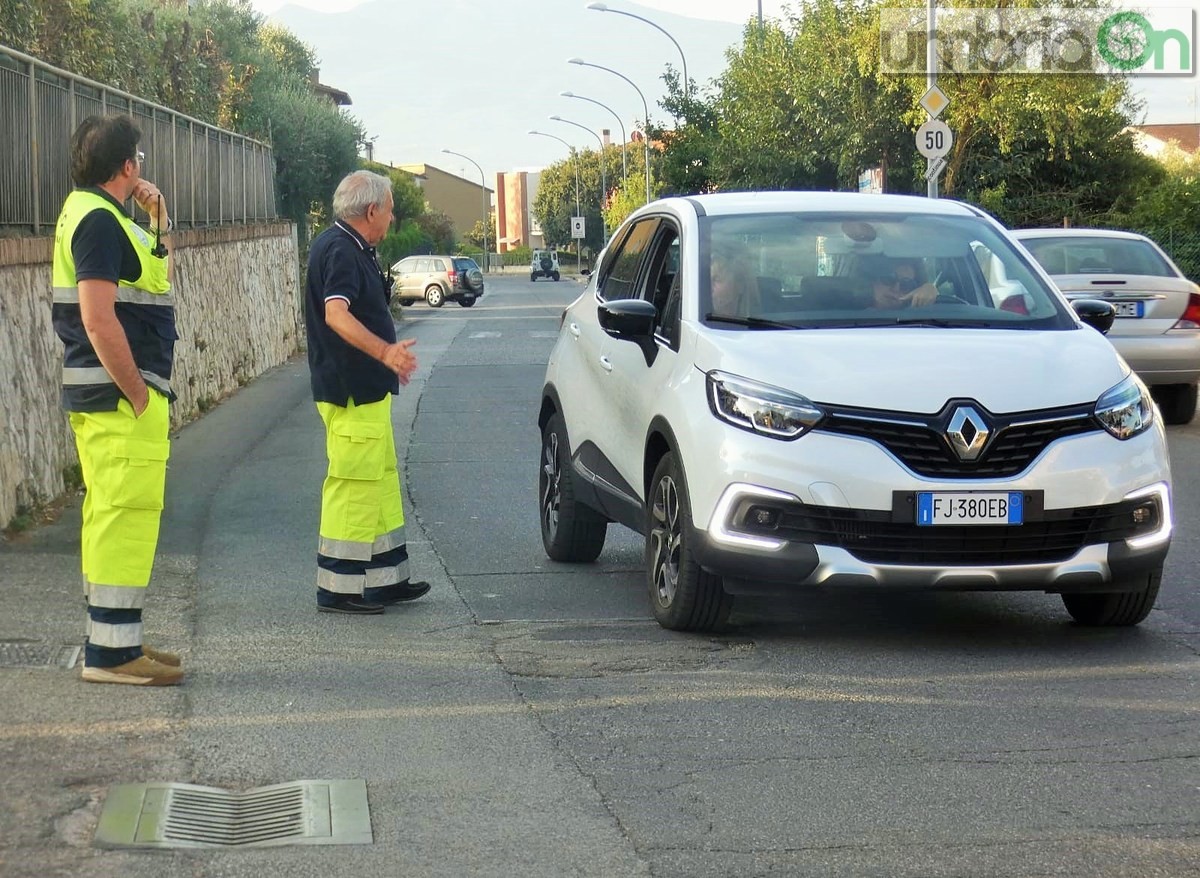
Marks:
<point>795,390</point>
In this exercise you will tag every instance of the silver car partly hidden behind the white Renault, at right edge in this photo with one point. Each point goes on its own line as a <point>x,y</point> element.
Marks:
<point>1159,310</point>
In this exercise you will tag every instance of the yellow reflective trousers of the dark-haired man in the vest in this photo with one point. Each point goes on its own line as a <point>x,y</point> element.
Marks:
<point>124,461</point>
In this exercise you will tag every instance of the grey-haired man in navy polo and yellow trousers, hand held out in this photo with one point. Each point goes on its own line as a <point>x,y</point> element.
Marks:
<point>357,368</point>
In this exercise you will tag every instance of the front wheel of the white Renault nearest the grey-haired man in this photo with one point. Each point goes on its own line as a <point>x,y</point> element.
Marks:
<point>683,596</point>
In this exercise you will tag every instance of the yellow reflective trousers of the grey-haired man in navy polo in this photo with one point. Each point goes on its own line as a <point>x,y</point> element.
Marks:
<point>362,544</point>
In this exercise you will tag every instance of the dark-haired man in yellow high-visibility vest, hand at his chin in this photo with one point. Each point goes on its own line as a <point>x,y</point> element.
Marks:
<point>115,311</point>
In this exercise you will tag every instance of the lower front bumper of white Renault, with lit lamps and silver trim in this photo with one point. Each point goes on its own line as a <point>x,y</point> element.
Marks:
<point>1063,551</point>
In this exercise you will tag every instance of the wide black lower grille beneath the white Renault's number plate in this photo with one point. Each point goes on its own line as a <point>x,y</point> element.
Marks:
<point>877,538</point>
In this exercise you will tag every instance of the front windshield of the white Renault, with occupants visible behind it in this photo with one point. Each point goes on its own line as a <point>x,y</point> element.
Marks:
<point>853,270</point>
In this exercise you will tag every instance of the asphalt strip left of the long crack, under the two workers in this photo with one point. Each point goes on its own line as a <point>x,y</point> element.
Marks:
<point>463,778</point>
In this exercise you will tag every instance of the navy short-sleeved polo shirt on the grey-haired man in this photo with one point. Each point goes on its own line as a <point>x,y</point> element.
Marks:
<point>344,266</point>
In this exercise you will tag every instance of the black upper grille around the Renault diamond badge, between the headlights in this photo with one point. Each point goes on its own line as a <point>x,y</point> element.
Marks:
<point>920,441</point>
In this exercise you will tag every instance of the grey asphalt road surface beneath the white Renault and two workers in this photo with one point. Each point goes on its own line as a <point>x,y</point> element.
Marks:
<point>530,719</point>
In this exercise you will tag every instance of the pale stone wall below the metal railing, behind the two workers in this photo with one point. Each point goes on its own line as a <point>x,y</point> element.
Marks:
<point>238,310</point>
